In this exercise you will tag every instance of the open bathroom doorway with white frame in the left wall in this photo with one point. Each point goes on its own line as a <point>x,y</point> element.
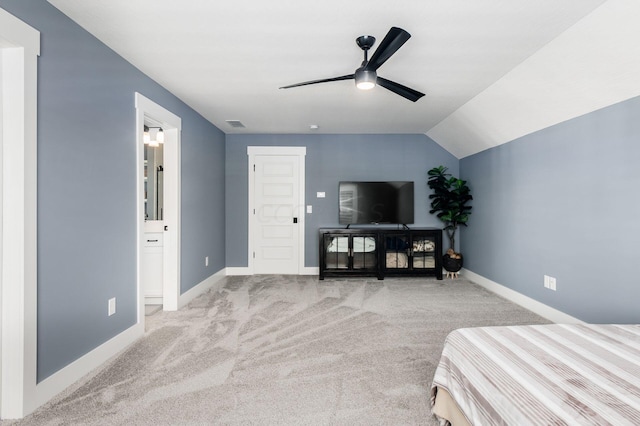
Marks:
<point>158,152</point>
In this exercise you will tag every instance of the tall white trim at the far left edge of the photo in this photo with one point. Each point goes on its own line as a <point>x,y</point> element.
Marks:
<point>20,48</point>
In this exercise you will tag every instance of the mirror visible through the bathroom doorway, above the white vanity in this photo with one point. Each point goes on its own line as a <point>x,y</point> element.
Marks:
<point>153,182</point>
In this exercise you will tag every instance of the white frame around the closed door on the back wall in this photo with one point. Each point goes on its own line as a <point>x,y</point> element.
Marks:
<point>298,151</point>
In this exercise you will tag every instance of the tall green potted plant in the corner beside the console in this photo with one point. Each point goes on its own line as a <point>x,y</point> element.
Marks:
<point>449,201</point>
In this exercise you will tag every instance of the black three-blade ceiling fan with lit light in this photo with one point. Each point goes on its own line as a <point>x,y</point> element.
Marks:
<point>366,76</point>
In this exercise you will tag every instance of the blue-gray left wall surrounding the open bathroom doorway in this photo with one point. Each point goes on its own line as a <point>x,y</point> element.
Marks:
<point>87,188</point>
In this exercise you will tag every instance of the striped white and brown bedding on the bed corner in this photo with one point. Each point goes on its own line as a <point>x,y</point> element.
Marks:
<point>543,374</point>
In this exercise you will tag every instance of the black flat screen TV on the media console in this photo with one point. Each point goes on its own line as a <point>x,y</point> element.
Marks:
<point>376,202</point>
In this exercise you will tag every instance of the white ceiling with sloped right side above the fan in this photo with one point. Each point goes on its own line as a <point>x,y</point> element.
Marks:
<point>474,59</point>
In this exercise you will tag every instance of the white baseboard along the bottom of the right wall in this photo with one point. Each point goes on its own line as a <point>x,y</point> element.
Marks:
<point>533,305</point>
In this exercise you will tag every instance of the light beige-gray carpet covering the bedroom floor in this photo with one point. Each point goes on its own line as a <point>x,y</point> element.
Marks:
<point>286,350</point>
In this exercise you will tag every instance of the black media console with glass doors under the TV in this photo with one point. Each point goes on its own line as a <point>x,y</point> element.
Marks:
<point>380,252</point>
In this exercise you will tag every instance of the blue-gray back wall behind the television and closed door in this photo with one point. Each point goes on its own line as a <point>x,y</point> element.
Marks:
<point>330,159</point>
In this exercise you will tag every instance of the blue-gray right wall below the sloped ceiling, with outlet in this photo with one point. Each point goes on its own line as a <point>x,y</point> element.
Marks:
<point>565,202</point>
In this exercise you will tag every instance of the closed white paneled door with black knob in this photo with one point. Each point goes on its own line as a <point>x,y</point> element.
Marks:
<point>277,213</point>
